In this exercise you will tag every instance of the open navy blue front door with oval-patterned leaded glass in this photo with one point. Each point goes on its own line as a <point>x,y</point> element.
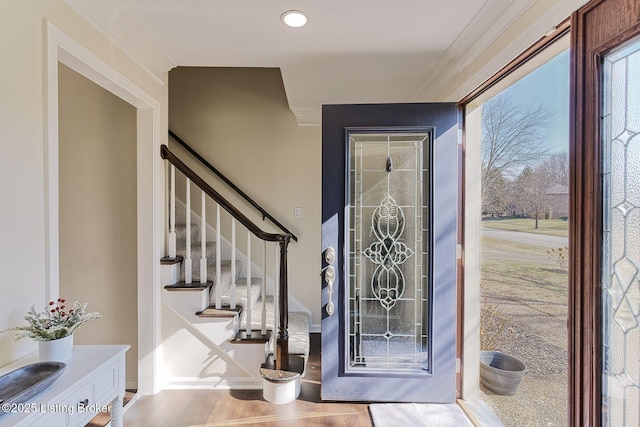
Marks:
<point>389,217</point>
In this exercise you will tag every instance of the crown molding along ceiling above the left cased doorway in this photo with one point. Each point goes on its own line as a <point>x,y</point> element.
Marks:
<point>110,19</point>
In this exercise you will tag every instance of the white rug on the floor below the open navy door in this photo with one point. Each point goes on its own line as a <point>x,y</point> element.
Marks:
<point>418,414</point>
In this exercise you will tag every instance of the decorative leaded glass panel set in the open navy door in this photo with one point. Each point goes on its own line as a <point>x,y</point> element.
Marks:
<point>388,290</point>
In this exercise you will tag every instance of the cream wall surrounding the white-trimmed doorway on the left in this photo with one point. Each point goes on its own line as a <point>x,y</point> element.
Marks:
<point>23,129</point>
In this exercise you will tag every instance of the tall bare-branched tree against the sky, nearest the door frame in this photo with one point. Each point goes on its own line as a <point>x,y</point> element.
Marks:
<point>513,136</point>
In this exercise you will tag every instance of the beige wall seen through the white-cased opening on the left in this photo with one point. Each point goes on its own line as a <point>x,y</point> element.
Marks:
<point>97,169</point>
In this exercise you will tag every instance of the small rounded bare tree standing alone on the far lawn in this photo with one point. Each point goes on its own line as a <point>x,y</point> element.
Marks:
<point>531,192</point>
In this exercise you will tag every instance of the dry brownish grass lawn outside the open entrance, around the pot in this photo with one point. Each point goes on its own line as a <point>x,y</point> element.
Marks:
<point>527,294</point>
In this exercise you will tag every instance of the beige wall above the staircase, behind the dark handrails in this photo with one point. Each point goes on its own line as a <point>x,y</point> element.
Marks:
<point>239,120</point>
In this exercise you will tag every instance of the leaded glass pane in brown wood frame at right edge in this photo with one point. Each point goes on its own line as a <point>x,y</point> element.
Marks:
<point>621,238</point>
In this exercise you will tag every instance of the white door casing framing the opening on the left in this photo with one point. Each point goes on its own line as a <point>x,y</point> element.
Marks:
<point>62,49</point>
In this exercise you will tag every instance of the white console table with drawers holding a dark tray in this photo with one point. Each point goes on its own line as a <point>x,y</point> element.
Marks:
<point>93,379</point>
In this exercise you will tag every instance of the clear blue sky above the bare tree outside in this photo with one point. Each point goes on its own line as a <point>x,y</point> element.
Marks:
<point>549,86</point>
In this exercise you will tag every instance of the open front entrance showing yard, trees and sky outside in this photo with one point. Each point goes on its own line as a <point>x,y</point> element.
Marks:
<point>517,134</point>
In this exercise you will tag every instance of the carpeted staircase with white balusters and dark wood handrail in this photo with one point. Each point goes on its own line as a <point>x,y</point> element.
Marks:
<point>225,318</point>
